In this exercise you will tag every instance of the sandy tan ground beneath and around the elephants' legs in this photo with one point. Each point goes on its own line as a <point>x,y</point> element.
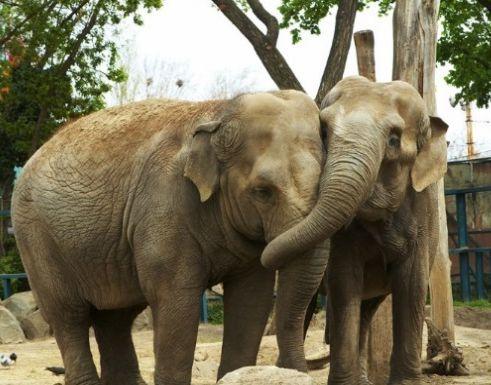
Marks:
<point>35,356</point>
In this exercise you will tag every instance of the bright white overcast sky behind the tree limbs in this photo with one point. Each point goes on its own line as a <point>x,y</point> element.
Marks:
<point>195,35</point>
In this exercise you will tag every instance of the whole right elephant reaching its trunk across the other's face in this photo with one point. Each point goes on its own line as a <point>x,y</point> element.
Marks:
<point>377,200</point>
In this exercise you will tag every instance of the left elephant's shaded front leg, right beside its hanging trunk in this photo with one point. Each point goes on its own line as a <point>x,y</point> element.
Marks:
<point>248,300</point>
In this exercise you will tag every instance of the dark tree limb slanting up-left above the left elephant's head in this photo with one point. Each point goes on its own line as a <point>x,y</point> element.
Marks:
<point>273,61</point>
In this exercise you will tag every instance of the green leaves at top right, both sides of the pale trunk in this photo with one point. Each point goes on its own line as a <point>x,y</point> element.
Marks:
<point>465,41</point>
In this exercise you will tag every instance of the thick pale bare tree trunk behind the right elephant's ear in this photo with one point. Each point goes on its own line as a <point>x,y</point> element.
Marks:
<point>415,39</point>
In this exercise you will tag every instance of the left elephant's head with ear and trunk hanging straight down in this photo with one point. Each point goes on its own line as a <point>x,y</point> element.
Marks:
<point>260,162</point>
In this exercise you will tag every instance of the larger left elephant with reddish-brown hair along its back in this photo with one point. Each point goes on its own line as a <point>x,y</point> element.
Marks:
<point>153,202</point>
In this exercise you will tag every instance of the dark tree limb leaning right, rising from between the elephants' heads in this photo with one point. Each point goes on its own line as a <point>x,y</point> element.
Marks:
<point>343,31</point>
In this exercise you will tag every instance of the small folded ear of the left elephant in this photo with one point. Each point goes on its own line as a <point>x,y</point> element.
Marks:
<point>202,164</point>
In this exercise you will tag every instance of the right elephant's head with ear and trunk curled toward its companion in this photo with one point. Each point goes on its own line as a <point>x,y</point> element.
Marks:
<point>381,142</point>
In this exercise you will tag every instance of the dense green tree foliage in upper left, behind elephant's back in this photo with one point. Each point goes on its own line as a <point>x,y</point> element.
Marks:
<point>56,62</point>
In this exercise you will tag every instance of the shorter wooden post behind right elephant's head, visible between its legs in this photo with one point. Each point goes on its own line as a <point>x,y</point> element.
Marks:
<point>380,333</point>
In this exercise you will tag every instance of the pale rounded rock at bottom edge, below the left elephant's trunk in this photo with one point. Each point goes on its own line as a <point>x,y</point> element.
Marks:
<point>271,375</point>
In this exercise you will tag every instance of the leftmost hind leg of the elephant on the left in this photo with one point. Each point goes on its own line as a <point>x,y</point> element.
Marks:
<point>60,303</point>
